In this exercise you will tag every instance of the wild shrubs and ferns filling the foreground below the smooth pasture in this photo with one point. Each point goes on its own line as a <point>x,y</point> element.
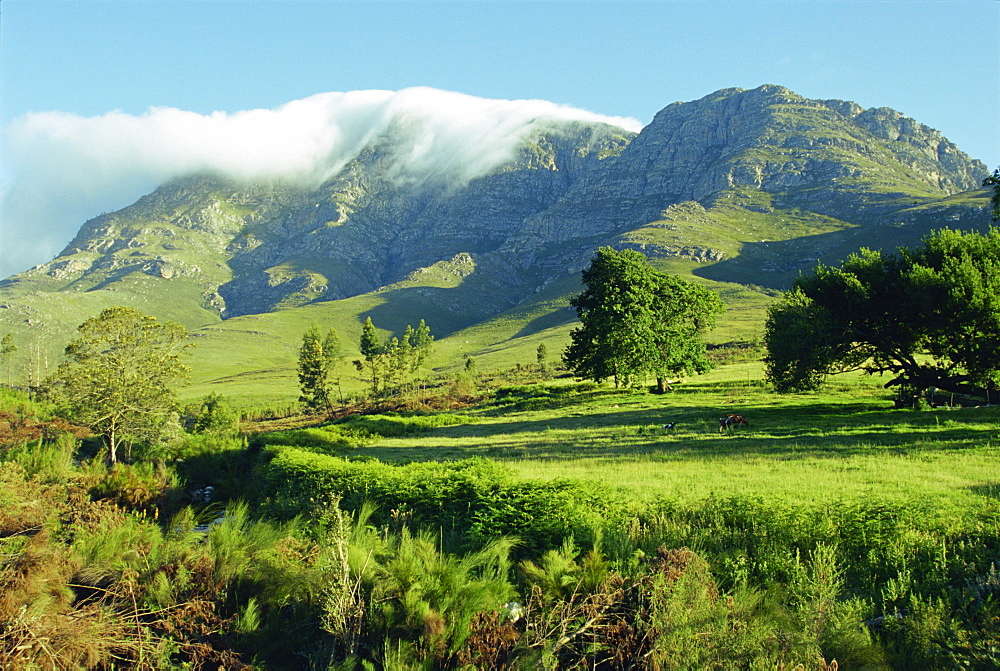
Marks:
<point>870,583</point>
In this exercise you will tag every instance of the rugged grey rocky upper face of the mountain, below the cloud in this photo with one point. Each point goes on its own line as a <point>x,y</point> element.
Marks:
<point>567,189</point>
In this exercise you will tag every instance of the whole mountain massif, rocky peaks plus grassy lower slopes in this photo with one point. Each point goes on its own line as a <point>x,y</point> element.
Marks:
<point>741,187</point>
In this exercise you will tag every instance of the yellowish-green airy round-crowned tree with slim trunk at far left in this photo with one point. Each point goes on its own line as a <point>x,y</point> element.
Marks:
<point>119,375</point>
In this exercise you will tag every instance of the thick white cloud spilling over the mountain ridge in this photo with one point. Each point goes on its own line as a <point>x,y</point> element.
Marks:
<point>61,169</point>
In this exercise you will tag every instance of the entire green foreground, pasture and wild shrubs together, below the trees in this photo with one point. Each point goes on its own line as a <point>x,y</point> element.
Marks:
<point>834,527</point>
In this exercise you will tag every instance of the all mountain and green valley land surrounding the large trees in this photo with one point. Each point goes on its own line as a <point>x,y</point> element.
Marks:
<point>491,511</point>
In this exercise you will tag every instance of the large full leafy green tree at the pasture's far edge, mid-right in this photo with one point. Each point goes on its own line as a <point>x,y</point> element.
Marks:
<point>638,323</point>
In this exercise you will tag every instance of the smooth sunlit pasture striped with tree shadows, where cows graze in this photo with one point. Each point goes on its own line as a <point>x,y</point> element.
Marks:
<point>846,443</point>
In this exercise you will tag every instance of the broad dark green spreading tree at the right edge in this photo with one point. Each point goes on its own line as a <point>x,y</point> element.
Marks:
<point>929,316</point>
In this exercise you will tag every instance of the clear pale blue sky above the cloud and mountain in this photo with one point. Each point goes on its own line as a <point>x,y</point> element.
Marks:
<point>938,62</point>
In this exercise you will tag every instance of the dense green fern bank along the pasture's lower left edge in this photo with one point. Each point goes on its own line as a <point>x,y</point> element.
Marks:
<point>472,501</point>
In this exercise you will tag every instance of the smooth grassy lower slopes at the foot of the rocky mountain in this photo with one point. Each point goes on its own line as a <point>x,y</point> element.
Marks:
<point>253,357</point>
